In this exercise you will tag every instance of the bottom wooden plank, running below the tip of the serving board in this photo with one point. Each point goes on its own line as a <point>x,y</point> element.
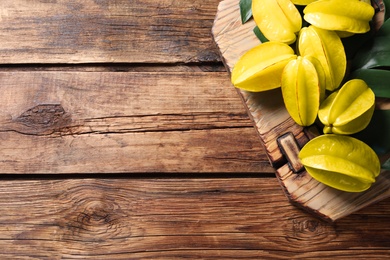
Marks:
<point>177,218</point>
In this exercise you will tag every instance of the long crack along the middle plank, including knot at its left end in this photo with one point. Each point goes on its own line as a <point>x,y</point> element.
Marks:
<point>53,121</point>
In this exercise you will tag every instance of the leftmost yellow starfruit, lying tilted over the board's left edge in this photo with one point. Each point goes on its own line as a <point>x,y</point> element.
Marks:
<point>261,67</point>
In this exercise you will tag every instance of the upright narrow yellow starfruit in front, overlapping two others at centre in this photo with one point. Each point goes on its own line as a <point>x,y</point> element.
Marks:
<point>301,91</point>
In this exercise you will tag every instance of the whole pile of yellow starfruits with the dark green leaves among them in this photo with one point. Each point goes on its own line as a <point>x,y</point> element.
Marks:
<point>332,63</point>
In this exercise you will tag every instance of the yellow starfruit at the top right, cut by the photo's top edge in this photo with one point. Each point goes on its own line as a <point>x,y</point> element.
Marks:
<point>347,15</point>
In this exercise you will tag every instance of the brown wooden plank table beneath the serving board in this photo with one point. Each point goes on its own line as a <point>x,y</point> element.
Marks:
<point>121,137</point>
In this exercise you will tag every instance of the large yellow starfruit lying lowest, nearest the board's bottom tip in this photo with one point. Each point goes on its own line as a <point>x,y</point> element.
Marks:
<point>341,162</point>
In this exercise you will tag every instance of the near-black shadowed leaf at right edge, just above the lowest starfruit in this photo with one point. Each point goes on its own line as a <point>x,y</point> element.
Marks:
<point>376,134</point>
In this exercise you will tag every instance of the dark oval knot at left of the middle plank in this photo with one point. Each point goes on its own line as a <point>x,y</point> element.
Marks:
<point>43,119</point>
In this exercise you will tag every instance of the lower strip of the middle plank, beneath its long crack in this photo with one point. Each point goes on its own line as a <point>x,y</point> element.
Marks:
<point>202,151</point>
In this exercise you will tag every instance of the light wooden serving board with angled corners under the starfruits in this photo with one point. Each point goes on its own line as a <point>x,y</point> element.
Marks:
<point>281,136</point>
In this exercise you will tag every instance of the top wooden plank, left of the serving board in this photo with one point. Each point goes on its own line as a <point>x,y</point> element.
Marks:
<point>90,31</point>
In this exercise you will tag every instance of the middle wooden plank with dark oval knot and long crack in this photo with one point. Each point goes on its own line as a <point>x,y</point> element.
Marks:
<point>107,122</point>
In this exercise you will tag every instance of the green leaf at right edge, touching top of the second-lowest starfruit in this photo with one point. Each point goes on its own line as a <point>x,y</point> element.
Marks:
<point>378,80</point>
